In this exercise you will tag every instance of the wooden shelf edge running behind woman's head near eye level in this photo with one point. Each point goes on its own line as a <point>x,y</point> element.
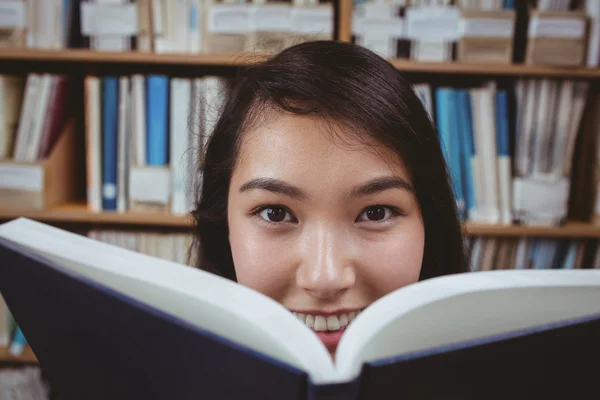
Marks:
<point>78,213</point>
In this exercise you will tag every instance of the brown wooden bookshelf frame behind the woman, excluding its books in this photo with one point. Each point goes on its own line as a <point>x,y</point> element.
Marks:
<point>82,62</point>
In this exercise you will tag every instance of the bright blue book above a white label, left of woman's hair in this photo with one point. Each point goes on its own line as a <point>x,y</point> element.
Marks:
<point>157,119</point>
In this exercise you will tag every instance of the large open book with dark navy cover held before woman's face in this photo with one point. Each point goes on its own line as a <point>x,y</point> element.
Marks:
<point>106,322</point>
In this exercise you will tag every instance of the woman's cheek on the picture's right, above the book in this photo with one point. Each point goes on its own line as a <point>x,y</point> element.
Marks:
<point>395,260</point>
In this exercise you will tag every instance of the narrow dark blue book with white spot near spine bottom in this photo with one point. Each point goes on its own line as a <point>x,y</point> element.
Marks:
<point>110,131</point>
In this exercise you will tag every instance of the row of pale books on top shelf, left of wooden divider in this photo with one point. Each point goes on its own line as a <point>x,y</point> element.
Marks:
<point>165,26</point>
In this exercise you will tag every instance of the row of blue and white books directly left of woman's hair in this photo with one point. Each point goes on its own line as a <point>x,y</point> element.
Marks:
<point>144,139</point>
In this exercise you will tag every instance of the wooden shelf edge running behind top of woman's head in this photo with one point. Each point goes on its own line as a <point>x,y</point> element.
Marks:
<point>88,56</point>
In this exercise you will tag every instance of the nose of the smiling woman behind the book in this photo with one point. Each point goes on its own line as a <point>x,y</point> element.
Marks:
<point>326,271</point>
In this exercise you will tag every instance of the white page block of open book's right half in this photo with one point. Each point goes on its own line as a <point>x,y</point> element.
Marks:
<point>462,307</point>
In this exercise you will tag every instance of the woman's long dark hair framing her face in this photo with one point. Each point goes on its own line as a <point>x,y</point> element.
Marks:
<point>347,85</point>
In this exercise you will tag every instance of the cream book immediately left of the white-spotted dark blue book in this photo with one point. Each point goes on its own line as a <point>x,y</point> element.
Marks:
<point>93,143</point>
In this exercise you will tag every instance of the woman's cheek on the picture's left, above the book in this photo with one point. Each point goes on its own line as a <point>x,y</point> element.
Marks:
<point>262,261</point>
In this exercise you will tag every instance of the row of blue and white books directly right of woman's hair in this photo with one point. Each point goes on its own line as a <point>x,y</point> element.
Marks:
<point>509,149</point>
